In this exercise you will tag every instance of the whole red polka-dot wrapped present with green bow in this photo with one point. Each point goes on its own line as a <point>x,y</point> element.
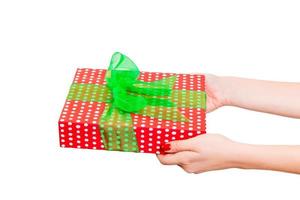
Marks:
<point>123,109</point>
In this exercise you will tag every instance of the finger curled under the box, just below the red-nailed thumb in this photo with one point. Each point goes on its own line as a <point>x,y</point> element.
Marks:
<point>174,159</point>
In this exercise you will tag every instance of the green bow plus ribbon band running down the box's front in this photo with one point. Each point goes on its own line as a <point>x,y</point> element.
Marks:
<point>129,95</point>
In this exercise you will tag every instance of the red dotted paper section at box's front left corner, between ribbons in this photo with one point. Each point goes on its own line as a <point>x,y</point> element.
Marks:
<point>78,125</point>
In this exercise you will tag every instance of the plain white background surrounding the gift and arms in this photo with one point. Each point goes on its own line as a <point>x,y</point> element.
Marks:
<point>42,43</point>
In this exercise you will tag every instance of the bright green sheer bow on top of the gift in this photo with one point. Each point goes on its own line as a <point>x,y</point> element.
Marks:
<point>129,93</point>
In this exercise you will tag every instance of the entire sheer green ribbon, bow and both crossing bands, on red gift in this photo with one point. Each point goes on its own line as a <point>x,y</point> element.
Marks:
<point>125,94</point>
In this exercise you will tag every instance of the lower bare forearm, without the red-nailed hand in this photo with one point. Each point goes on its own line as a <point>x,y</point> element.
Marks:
<point>278,158</point>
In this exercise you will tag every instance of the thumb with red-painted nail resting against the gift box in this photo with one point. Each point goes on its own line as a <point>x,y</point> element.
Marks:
<point>177,146</point>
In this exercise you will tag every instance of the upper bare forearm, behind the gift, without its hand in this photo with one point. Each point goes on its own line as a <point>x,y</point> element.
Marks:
<point>265,96</point>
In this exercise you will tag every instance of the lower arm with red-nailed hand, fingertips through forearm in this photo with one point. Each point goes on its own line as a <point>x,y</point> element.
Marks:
<point>209,152</point>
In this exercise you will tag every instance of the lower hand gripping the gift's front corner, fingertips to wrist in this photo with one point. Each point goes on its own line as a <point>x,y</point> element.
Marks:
<point>202,153</point>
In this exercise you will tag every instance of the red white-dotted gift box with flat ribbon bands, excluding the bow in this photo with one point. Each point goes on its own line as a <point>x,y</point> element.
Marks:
<point>81,124</point>
